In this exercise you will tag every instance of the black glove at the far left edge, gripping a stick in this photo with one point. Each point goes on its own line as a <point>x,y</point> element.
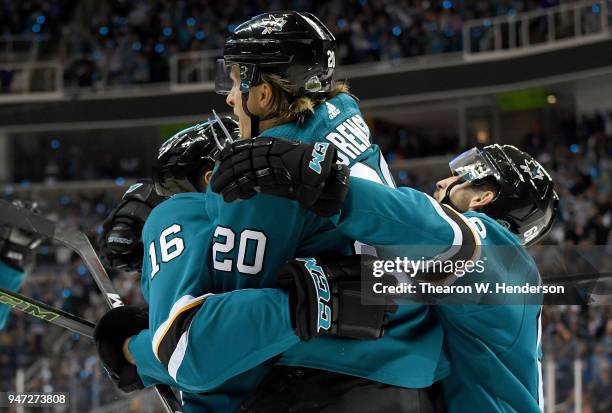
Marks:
<point>16,245</point>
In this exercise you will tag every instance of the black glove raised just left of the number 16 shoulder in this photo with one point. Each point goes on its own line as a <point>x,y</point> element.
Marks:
<point>120,243</point>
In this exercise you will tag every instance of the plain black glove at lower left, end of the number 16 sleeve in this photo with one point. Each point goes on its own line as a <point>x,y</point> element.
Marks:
<point>112,330</point>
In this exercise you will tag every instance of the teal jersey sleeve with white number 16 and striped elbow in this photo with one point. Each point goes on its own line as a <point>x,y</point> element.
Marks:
<point>196,330</point>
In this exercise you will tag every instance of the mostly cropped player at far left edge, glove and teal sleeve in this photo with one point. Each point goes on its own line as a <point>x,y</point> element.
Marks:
<point>16,255</point>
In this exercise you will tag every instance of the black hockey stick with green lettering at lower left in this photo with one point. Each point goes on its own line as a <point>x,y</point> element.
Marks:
<point>46,312</point>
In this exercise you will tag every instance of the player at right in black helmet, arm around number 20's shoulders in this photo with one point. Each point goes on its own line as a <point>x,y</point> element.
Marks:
<point>497,196</point>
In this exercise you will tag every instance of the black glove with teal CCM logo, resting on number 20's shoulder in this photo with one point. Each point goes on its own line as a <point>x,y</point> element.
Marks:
<point>299,171</point>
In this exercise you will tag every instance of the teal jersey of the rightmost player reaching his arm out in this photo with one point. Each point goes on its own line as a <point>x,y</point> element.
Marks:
<point>494,350</point>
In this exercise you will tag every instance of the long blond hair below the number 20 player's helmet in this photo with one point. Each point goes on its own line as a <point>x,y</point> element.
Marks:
<point>287,108</point>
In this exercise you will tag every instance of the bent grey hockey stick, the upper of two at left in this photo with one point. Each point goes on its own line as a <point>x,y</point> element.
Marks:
<point>79,243</point>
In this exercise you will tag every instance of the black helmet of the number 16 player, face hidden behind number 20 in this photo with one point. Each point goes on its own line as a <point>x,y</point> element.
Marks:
<point>184,157</point>
